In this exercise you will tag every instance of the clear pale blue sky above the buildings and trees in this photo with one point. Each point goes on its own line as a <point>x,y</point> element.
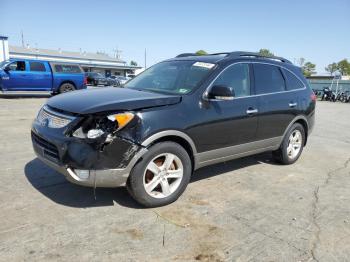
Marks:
<point>315,30</point>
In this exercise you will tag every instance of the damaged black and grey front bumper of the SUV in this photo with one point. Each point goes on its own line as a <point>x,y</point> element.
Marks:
<point>84,161</point>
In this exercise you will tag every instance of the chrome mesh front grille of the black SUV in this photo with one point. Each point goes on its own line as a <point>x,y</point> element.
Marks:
<point>53,119</point>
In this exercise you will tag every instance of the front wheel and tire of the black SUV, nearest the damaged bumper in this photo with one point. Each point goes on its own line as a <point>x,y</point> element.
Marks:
<point>161,176</point>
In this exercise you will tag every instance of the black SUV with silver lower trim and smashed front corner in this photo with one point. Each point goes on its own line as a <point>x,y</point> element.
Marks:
<point>177,116</point>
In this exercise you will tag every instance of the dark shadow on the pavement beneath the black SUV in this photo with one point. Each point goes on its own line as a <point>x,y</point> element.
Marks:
<point>55,187</point>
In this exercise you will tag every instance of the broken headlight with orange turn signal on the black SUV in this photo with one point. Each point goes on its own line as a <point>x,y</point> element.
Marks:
<point>97,126</point>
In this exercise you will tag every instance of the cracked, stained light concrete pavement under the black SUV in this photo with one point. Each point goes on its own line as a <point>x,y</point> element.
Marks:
<point>249,209</point>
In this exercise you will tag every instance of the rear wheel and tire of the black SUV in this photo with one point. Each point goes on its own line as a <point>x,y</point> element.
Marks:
<point>292,145</point>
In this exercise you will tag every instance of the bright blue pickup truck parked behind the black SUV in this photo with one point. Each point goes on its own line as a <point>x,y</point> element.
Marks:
<point>34,76</point>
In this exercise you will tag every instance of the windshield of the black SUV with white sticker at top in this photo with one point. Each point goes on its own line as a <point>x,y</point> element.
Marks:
<point>174,77</point>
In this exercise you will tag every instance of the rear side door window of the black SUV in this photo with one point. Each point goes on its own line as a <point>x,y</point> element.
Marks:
<point>268,79</point>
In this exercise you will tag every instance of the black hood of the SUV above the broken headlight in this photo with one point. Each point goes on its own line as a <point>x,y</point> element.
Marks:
<point>109,99</point>
